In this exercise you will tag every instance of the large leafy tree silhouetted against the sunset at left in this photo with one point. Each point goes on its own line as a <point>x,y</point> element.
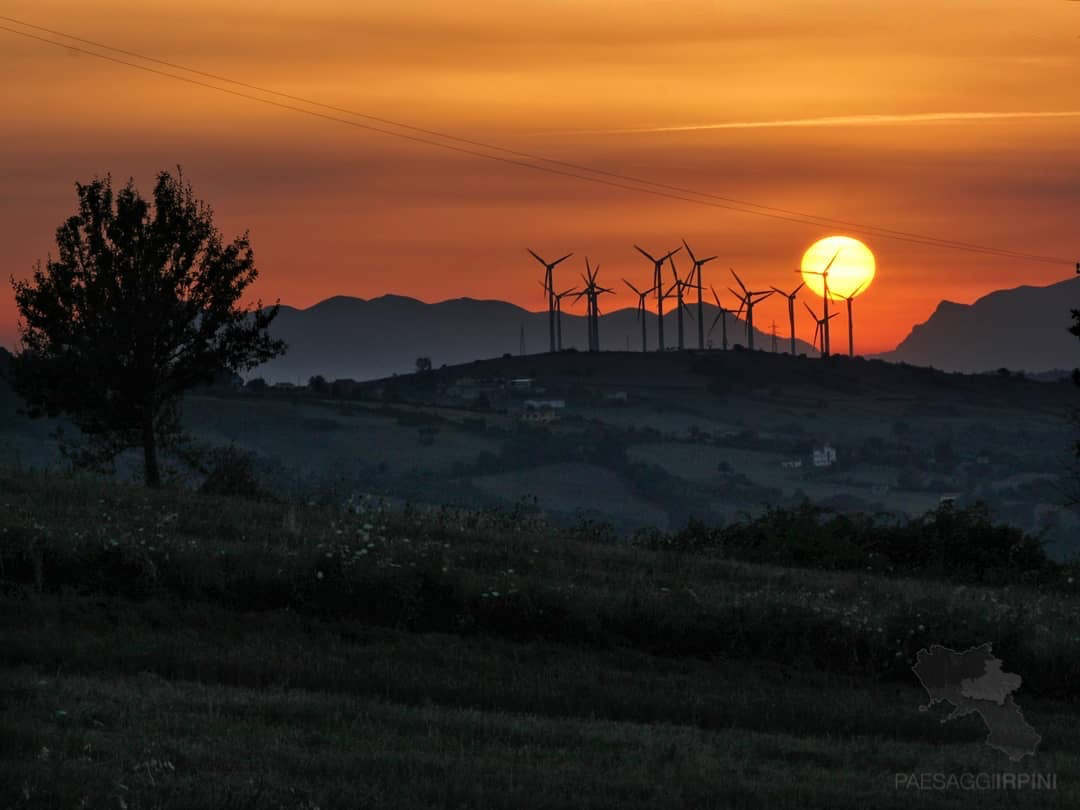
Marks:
<point>142,304</point>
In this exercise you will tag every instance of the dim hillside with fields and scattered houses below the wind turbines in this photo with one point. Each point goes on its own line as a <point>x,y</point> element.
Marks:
<point>651,440</point>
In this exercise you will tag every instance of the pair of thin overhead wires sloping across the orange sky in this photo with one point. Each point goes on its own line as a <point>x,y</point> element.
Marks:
<point>519,158</point>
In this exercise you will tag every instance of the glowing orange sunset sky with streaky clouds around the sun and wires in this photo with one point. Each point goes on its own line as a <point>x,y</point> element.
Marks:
<point>337,210</point>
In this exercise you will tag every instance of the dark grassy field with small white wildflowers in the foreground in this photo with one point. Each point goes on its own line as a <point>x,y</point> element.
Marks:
<point>171,651</point>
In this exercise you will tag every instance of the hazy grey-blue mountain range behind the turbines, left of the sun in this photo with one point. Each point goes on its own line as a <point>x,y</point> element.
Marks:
<point>371,339</point>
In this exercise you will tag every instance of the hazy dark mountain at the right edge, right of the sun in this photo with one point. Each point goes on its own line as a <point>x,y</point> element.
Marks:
<point>1023,330</point>
